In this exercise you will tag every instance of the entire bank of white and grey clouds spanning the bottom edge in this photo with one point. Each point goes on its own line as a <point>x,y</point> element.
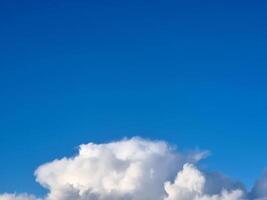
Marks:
<point>136,169</point>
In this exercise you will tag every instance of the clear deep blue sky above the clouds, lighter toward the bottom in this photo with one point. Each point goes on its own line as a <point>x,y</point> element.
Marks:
<point>193,73</point>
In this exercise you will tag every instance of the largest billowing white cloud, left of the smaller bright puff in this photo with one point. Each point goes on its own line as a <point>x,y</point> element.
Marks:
<point>128,169</point>
